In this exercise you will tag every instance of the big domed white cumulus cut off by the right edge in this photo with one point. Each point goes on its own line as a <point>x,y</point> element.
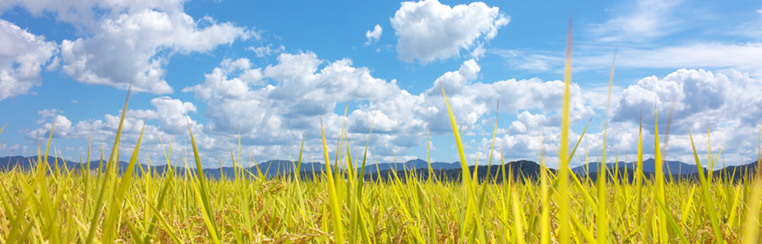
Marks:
<point>701,100</point>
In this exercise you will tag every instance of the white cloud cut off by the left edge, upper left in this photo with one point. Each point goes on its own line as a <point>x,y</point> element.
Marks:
<point>22,56</point>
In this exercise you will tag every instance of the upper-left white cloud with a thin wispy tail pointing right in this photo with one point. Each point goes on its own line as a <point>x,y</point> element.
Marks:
<point>129,48</point>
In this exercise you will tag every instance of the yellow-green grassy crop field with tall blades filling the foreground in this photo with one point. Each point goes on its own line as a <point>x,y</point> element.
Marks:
<point>50,205</point>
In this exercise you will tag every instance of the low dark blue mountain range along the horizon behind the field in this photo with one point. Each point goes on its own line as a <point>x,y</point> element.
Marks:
<point>419,167</point>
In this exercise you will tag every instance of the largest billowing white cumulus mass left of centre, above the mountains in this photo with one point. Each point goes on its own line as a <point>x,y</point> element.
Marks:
<point>290,98</point>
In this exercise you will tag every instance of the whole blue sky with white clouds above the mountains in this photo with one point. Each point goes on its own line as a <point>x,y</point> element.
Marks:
<point>276,69</point>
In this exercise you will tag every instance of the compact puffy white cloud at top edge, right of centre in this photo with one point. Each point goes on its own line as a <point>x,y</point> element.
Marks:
<point>429,30</point>
